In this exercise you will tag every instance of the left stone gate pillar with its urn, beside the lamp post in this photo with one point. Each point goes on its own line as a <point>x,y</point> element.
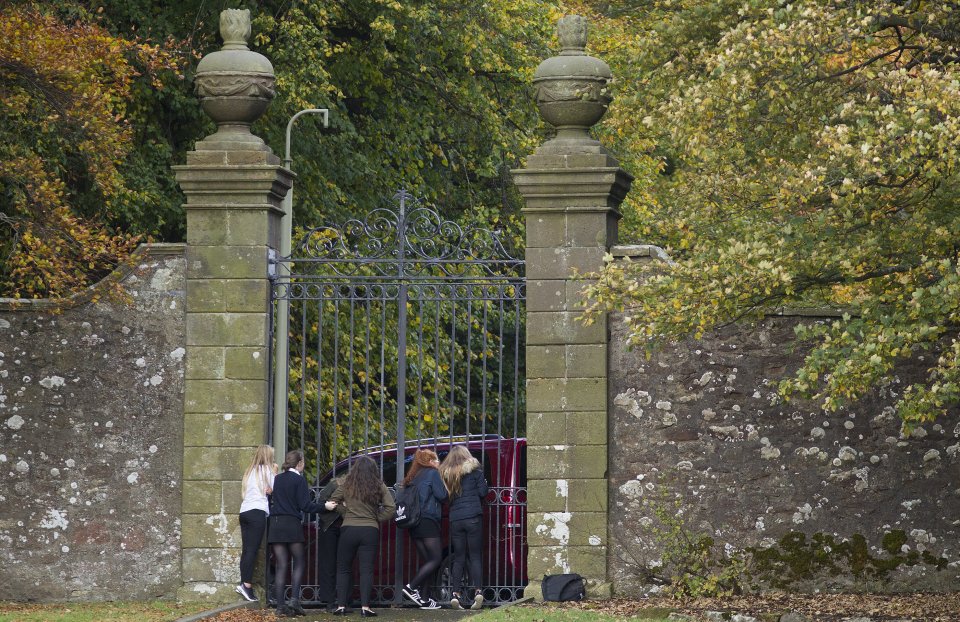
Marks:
<point>234,187</point>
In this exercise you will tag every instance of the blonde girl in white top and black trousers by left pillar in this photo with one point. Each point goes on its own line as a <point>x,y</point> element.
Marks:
<point>256,485</point>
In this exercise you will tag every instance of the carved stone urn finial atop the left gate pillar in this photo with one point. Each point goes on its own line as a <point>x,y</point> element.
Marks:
<point>235,85</point>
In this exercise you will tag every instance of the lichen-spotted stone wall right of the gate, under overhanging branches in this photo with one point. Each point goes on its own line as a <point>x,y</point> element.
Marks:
<point>809,500</point>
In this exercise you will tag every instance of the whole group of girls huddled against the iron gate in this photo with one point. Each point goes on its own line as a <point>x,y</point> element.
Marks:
<point>351,510</point>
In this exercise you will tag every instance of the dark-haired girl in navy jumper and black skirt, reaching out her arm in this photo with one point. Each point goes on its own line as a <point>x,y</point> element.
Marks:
<point>290,500</point>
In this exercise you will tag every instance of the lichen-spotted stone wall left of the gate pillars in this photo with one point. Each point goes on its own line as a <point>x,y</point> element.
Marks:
<point>91,440</point>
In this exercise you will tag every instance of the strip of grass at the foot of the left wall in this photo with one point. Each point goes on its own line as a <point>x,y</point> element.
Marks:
<point>150,611</point>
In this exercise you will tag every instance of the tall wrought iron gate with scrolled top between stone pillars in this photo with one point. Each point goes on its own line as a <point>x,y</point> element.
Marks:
<point>406,331</point>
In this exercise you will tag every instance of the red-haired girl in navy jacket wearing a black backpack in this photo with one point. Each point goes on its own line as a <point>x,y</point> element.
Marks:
<point>426,535</point>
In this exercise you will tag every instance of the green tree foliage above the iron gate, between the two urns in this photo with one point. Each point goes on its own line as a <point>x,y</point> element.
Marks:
<point>428,96</point>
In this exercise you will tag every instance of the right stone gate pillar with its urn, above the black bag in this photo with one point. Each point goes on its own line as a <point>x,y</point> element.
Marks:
<point>572,188</point>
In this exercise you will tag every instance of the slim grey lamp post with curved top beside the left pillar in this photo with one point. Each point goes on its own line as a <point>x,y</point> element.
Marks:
<point>280,368</point>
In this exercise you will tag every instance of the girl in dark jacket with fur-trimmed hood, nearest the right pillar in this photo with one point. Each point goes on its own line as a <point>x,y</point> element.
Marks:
<point>463,477</point>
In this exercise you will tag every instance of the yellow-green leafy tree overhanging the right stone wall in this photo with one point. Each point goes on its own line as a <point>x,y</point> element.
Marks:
<point>796,154</point>
